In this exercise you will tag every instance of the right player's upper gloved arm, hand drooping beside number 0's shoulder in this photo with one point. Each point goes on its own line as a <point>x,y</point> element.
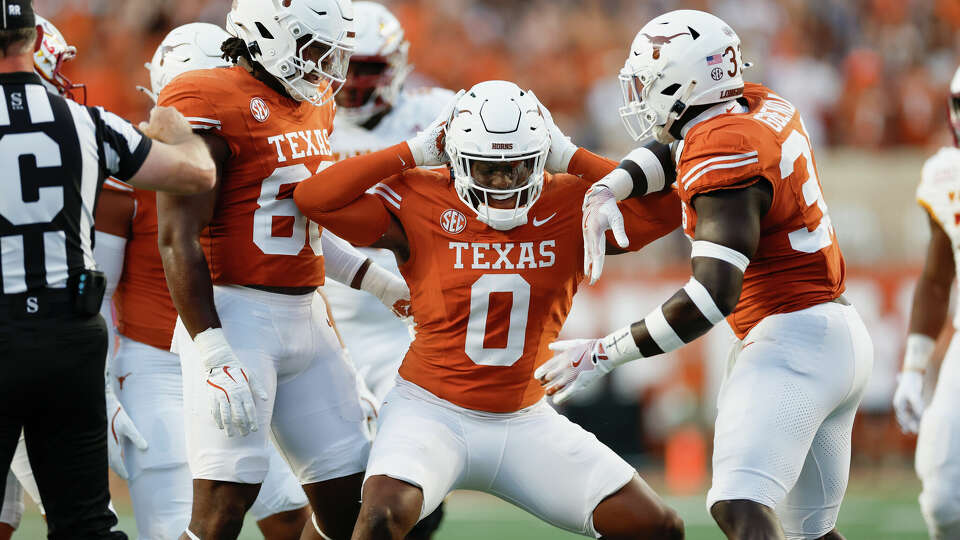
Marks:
<point>644,171</point>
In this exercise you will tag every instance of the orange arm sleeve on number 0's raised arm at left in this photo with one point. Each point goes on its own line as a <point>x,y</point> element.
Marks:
<point>337,197</point>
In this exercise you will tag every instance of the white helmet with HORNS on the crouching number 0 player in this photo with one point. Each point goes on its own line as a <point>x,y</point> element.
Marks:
<point>497,129</point>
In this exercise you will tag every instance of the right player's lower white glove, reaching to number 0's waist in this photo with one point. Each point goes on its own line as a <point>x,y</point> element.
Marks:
<point>577,365</point>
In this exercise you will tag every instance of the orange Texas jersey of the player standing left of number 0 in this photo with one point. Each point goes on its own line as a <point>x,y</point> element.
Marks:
<point>257,235</point>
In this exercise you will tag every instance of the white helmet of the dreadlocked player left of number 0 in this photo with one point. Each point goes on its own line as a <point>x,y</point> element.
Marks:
<point>305,44</point>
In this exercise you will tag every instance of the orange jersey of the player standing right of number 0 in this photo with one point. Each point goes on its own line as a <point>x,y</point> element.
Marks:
<point>798,263</point>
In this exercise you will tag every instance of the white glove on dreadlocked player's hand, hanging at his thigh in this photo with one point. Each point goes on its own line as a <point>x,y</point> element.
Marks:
<point>230,387</point>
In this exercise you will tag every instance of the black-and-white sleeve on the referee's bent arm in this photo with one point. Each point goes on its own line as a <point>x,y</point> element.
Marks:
<point>124,147</point>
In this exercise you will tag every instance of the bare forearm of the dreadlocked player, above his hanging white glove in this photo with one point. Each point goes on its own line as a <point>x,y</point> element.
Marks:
<point>191,288</point>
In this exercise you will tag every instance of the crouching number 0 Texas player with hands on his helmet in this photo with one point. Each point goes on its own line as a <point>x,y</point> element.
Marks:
<point>491,251</point>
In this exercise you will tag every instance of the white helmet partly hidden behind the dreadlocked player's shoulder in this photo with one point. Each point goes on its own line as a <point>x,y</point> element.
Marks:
<point>186,48</point>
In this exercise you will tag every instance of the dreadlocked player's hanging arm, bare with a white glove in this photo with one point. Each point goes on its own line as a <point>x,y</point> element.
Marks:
<point>230,387</point>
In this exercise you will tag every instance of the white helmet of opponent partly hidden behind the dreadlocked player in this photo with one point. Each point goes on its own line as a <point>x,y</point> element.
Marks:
<point>379,65</point>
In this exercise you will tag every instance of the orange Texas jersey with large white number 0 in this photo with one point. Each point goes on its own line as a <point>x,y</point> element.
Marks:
<point>486,302</point>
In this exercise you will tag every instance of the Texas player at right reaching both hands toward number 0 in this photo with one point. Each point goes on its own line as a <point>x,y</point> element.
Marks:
<point>764,256</point>
